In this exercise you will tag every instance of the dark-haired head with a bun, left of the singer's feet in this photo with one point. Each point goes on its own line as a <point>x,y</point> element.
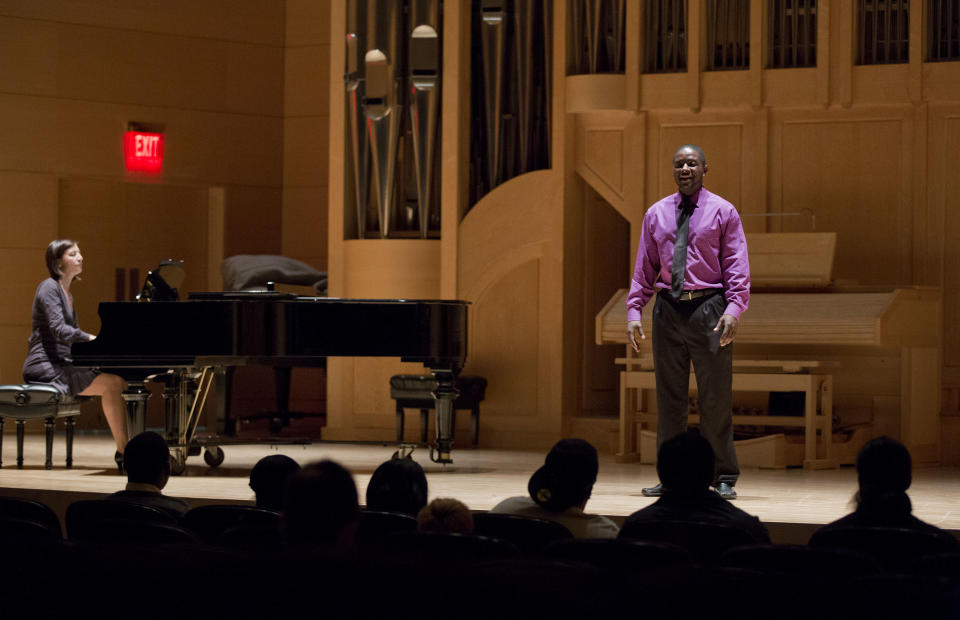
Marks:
<point>567,476</point>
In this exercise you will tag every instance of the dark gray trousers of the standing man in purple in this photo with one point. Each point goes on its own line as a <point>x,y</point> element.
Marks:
<point>683,332</point>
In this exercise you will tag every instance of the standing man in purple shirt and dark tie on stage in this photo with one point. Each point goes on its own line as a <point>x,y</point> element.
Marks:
<point>693,250</point>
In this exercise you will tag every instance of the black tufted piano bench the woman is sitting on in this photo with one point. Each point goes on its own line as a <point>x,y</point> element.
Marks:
<point>38,401</point>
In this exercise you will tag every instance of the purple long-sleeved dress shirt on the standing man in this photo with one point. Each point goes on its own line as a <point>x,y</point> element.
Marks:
<point>716,252</point>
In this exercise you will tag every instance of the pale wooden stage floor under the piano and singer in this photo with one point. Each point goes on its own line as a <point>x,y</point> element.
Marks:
<point>792,502</point>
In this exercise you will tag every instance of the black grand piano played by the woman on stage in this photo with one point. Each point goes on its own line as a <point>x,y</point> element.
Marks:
<point>194,339</point>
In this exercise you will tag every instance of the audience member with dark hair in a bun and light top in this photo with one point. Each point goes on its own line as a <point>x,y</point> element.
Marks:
<point>560,489</point>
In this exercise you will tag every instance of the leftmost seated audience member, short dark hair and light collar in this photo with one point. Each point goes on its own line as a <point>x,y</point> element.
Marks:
<point>146,460</point>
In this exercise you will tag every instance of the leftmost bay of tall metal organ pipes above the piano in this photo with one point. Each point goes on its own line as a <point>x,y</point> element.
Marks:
<point>393,67</point>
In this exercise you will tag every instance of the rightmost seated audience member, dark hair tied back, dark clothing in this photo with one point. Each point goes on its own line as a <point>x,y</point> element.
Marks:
<point>884,475</point>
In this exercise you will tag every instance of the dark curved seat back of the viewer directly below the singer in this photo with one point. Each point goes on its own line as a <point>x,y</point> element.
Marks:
<point>704,540</point>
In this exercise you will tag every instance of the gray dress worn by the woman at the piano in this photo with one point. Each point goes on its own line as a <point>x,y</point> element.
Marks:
<point>54,330</point>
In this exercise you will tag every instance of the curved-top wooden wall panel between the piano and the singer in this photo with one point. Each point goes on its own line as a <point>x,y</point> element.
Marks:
<point>510,236</point>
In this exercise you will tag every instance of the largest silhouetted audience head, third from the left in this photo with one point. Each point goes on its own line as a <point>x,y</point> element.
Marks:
<point>320,508</point>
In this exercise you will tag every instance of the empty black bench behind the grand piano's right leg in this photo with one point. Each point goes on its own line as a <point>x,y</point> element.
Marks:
<point>416,392</point>
